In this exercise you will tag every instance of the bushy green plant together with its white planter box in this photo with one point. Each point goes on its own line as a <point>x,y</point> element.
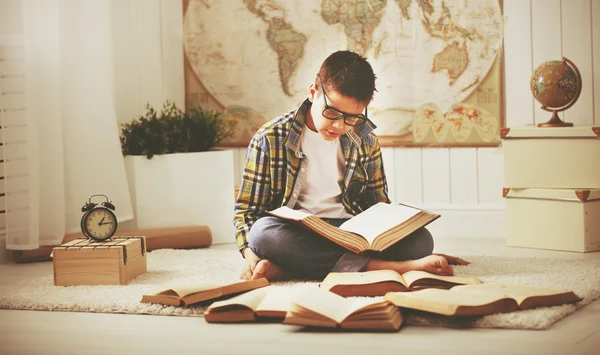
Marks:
<point>176,175</point>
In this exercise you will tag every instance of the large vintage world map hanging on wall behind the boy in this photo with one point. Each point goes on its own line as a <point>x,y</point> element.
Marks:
<point>255,60</point>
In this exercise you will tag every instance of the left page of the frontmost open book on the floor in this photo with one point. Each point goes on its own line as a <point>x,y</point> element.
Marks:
<point>324,303</point>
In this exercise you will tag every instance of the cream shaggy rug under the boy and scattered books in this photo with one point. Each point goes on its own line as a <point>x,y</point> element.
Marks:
<point>219,265</point>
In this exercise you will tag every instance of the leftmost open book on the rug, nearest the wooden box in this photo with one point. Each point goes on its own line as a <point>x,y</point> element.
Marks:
<point>185,295</point>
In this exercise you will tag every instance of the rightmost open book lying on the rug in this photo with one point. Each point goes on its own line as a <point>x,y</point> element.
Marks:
<point>483,299</point>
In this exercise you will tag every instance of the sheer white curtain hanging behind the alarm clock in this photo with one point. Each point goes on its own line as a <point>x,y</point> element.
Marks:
<point>61,139</point>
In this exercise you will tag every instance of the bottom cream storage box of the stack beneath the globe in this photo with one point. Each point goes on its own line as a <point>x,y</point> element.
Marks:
<point>557,219</point>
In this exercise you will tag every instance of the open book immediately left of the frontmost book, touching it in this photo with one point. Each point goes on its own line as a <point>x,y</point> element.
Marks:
<point>263,304</point>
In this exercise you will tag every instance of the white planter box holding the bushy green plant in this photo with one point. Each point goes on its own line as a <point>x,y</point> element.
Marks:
<point>186,189</point>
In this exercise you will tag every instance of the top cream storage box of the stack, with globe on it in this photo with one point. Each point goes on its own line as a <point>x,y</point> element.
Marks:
<point>551,157</point>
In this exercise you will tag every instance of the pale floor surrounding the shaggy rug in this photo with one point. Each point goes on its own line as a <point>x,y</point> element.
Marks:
<point>34,332</point>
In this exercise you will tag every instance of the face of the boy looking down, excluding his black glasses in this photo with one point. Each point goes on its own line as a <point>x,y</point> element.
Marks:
<point>330,129</point>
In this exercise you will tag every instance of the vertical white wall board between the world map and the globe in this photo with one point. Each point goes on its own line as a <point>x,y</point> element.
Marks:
<point>518,62</point>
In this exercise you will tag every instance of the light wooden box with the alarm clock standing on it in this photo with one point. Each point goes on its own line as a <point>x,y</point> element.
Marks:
<point>85,262</point>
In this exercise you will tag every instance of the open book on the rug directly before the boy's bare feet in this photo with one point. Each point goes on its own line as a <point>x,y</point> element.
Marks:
<point>380,282</point>
